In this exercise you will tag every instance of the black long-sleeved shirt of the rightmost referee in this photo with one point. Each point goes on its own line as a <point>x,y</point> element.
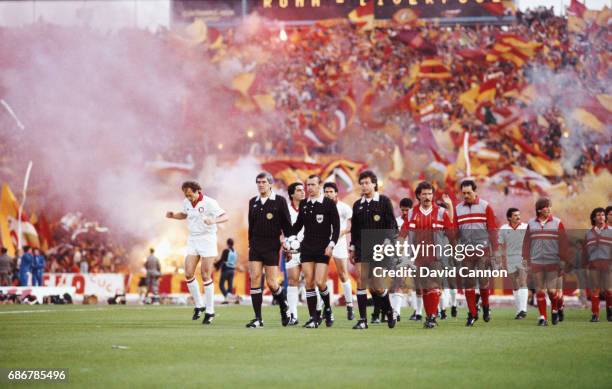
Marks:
<point>376,214</point>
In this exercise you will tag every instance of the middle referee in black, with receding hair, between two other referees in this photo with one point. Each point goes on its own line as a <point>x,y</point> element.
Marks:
<point>319,217</point>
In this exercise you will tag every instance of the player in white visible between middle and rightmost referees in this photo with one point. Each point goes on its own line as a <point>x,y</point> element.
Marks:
<point>340,252</point>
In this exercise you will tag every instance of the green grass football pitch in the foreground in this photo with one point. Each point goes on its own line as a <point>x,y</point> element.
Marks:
<point>160,346</point>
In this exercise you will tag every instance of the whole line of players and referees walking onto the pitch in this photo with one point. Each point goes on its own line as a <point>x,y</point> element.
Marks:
<point>321,223</point>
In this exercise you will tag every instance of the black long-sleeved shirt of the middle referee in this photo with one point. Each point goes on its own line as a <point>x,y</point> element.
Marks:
<point>321,223</point>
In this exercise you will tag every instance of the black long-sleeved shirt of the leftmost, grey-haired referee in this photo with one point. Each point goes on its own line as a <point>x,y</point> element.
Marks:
<point>267,221</point>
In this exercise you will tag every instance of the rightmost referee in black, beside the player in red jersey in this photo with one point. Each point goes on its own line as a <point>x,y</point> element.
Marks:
<point>372,211</point>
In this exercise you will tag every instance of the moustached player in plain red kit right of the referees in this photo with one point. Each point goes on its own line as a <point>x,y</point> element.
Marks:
<point>427,226</point>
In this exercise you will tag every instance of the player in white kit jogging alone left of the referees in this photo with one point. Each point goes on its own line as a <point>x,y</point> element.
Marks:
<point>203,214</point>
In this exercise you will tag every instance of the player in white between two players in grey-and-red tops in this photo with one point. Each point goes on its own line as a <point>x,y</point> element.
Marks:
<point>511,236</point>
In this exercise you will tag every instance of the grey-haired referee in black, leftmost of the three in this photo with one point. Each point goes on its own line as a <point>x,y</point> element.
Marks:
<point>268,217</point>
